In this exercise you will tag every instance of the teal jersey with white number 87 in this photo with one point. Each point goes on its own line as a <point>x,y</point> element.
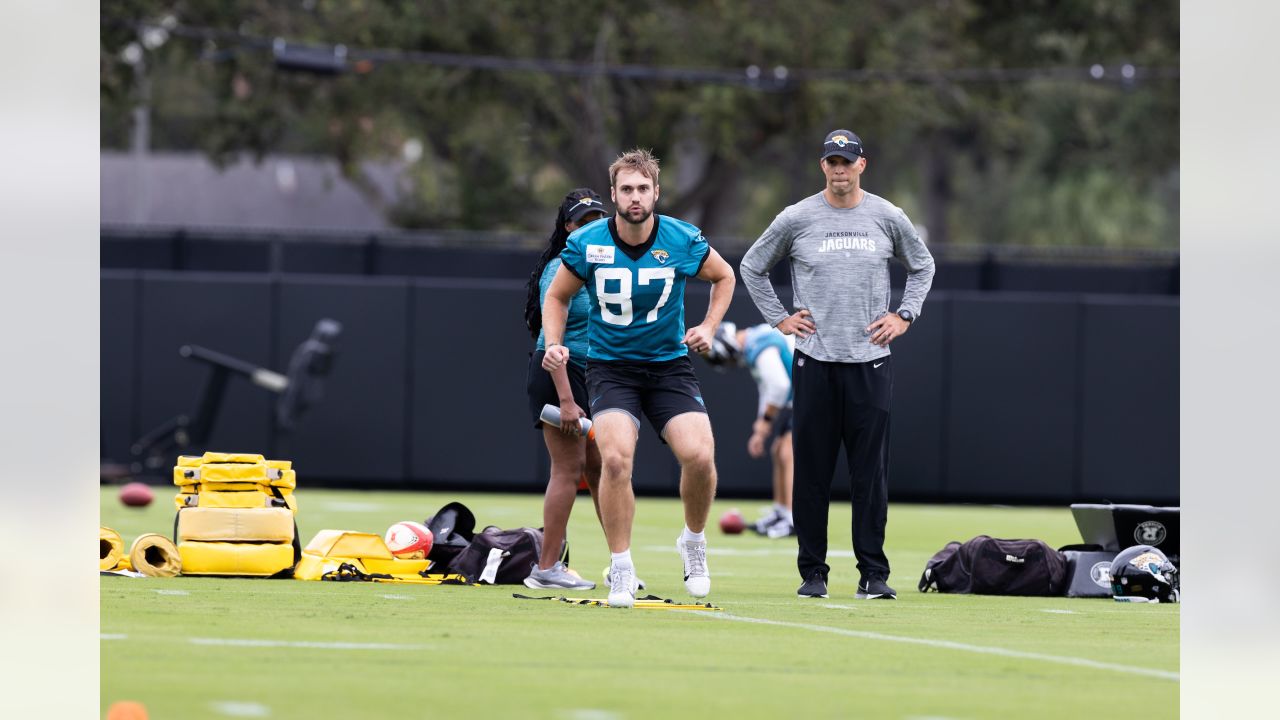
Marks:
<point>638,291</point>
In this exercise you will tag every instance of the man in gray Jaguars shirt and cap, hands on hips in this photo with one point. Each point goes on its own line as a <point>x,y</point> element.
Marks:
<point>840,243</point>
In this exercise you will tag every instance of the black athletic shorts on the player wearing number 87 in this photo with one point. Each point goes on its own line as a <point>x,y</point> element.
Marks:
<point>660,391</point>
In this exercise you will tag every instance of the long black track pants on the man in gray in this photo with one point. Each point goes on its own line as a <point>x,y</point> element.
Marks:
<point>842,403</point>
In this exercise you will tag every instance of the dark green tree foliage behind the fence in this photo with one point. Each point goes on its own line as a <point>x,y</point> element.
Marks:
<point>1032,160</point>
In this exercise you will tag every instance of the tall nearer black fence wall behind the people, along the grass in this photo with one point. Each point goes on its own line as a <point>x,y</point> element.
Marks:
<point>1003,398</point>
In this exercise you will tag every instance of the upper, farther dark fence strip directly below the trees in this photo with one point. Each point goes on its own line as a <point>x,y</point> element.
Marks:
<point>483,256</point>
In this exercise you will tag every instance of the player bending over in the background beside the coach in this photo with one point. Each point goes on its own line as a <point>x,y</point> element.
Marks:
<point>767,353</point>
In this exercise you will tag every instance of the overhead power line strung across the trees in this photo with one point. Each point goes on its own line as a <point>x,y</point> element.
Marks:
<point>332,60</point>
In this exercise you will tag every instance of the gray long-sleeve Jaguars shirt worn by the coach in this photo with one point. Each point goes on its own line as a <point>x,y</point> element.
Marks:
<point>839,272</point>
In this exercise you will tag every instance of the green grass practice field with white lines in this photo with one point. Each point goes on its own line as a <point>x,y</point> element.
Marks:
<point>477,653</point>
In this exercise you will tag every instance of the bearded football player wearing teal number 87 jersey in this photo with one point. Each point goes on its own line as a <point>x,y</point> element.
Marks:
<point>634,267</point>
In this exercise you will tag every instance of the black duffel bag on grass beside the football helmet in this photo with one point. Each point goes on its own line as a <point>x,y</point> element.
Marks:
<point>988,566</point>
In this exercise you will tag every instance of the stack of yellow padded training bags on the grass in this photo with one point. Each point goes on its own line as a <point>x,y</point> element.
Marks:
<point>236,516</point>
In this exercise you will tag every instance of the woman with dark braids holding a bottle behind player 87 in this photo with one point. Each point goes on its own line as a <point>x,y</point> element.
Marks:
<point>573,457</point>
